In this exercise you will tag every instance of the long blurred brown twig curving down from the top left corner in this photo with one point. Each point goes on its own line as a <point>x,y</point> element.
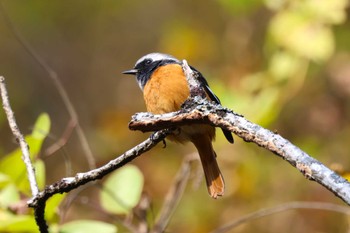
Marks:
<point>60,88</point>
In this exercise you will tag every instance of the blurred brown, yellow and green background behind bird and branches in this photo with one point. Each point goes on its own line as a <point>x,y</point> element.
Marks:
<point>283,64</point>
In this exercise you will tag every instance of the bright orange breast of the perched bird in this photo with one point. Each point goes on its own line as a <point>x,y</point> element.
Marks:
<point>166,90</point>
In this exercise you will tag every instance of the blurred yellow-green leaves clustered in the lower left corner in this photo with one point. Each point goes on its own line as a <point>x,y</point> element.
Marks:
<point>14,187</point>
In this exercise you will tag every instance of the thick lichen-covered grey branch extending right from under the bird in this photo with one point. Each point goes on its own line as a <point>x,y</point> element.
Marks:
<point>197,110</point>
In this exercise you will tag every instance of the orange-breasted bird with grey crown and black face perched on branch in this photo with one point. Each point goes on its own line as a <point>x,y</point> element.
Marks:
<point>164,85</point>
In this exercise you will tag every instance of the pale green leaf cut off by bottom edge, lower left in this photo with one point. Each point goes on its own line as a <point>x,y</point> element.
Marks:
<point>87,226</point>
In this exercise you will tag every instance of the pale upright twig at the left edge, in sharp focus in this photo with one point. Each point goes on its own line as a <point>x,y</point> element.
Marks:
<point>19,137</point>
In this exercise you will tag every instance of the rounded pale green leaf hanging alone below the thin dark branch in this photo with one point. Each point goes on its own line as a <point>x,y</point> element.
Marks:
<point>122,190</point>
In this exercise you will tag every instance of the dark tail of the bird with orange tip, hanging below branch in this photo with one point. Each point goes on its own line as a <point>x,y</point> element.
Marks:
<point>214,179</point>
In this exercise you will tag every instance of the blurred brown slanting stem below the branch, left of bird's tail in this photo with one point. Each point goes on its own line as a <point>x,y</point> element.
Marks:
<point>174,195</point>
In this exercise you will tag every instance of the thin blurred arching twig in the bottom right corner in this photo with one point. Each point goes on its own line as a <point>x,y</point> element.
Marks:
<point>281,208</point>
